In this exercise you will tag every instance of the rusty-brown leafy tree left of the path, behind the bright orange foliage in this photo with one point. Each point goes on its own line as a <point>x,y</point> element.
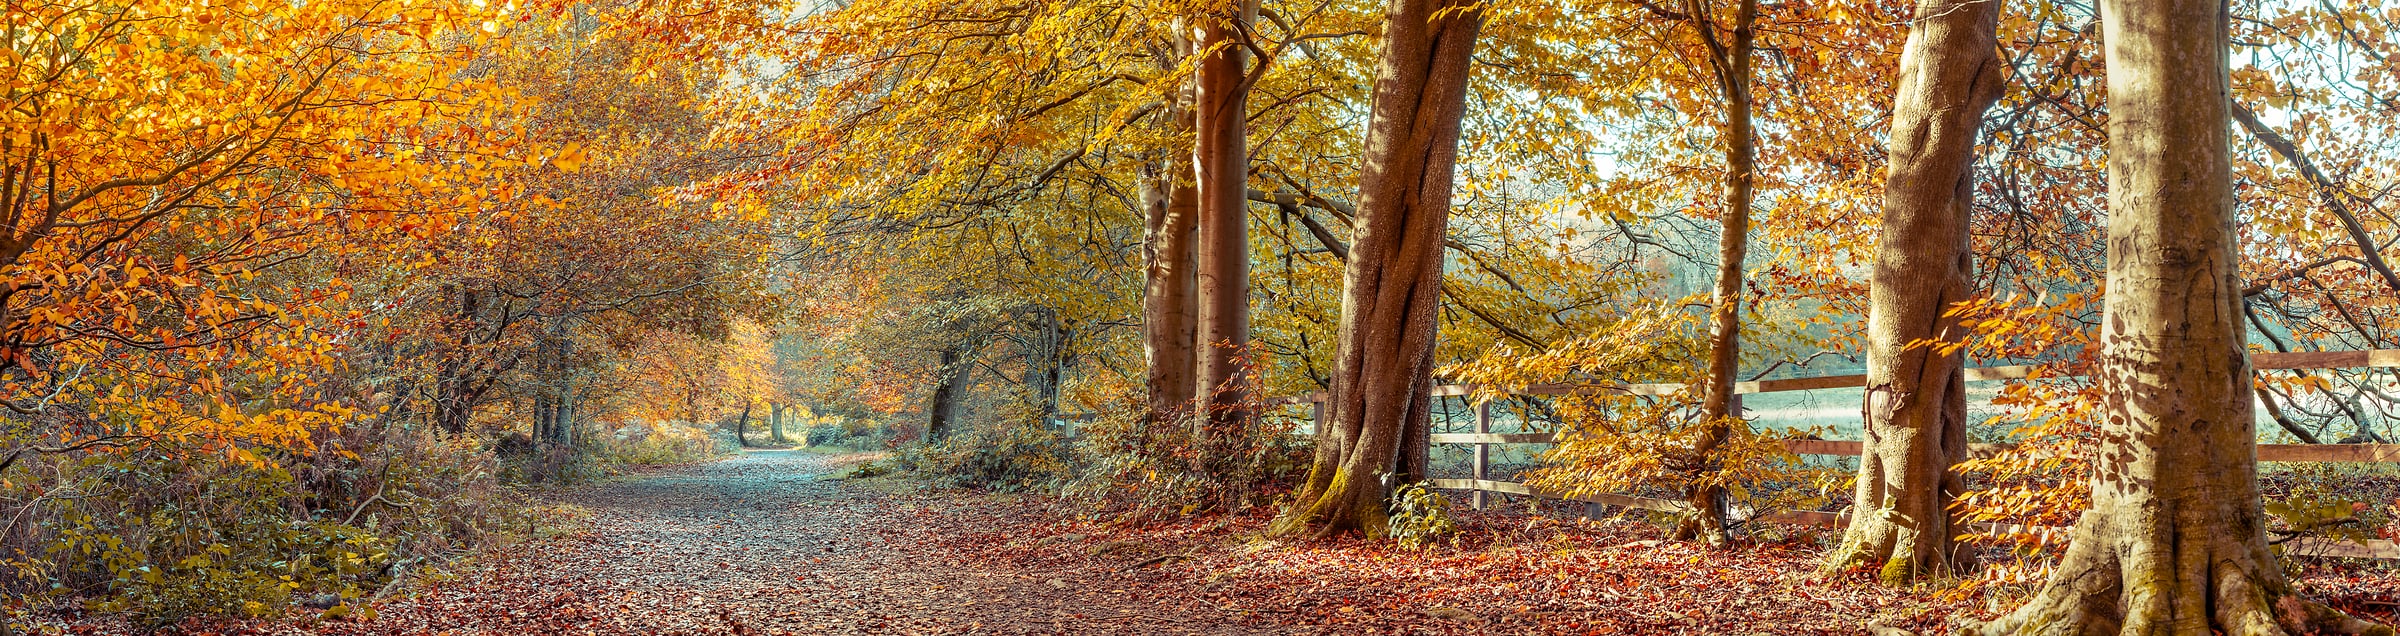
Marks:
<point>512,299</point>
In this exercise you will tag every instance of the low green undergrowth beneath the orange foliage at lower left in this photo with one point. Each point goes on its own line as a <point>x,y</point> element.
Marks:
<point>169,532</point>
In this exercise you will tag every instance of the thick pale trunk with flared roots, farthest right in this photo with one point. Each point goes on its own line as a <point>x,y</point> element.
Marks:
<point>2176,541</point>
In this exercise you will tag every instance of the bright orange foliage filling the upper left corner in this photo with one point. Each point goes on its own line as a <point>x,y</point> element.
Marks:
<point>200,167</point>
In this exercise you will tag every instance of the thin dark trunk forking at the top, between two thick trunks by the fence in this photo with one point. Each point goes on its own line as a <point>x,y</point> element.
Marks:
<point>1732,66</point>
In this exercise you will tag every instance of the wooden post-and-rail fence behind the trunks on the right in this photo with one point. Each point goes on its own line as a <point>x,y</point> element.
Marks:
<point>1482,440</point>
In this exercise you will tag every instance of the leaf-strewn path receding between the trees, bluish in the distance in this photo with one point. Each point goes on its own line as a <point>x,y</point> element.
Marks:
<point>767,544</point>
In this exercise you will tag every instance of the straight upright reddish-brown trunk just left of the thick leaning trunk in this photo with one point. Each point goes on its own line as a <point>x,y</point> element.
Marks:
<point>1220,167</point>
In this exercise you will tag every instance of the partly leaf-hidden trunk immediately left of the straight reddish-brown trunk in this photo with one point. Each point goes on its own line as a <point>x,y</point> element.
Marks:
<point>1170,284</point>
